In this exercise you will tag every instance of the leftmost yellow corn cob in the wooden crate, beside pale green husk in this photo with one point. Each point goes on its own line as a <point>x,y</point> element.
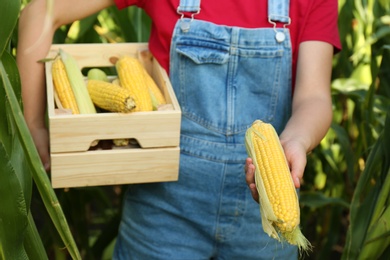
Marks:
<point>62,86</point>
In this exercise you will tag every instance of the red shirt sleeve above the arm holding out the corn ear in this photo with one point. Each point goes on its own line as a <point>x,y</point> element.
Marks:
<point>322,23</point>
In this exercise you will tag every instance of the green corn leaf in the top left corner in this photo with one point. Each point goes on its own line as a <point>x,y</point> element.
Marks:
<point>9,13</point>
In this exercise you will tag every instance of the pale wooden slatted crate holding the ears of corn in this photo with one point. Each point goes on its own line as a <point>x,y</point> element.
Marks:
<point>154,159</point>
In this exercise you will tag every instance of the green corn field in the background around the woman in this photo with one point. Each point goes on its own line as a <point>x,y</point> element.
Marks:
<point>345,198</point>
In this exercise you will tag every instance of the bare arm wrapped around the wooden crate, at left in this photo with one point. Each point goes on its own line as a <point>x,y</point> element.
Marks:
<point>33,45</point>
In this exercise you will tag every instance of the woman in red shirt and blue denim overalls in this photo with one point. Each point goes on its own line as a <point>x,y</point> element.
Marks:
<point>230,63</point>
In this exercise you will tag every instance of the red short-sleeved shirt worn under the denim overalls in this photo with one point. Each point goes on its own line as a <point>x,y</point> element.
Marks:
<point>310,20</point>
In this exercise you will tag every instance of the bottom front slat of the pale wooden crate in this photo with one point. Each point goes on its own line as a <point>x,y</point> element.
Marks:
<point>111,167</point>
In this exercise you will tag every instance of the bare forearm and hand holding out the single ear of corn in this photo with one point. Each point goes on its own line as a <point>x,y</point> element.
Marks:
<point>311,110</point>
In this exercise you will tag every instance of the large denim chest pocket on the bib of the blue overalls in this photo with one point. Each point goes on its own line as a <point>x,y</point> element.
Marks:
<point>216,82</point>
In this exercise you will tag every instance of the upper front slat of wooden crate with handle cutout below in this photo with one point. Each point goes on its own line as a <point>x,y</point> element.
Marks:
<point>151,129</point>
